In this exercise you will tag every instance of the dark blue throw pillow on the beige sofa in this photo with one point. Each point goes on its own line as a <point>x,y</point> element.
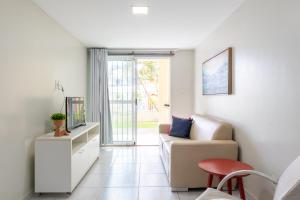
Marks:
<point>181,127</point>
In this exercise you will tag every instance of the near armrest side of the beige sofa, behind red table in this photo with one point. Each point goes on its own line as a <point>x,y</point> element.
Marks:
<point>185,156</point>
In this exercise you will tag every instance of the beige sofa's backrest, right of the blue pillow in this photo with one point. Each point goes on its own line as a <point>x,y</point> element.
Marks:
<point>207,128</point>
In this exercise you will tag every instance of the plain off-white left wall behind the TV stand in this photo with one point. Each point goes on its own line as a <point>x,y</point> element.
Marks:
<point>34,52</point>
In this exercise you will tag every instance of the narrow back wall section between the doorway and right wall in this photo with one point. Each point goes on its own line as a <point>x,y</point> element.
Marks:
<point>182,83</point>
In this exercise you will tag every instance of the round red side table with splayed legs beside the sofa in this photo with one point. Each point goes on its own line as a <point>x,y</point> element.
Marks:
<point>223,167</point>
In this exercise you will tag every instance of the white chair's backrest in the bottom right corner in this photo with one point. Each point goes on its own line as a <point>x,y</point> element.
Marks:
<point>288,187</point>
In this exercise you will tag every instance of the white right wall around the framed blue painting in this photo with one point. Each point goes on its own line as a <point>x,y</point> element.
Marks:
<point>264,107</point>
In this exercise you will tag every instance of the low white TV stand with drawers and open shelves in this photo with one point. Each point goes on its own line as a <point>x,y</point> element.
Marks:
<point>61,162</point>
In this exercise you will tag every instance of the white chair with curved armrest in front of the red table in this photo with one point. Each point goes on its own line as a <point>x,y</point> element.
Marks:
<point>288,186</point>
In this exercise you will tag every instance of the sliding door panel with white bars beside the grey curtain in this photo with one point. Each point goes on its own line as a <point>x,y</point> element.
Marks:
<point>122,93</point>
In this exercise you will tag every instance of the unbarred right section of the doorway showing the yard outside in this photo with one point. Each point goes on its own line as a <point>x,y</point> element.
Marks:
<point>153,98</point>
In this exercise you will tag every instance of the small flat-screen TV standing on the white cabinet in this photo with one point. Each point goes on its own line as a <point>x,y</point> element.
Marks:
<point>75,112</point>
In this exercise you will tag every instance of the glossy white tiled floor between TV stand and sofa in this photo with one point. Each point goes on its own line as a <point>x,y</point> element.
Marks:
<point>127,173</point>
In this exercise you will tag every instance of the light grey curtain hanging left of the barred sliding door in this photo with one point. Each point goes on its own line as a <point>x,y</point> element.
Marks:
<point>99,107</point>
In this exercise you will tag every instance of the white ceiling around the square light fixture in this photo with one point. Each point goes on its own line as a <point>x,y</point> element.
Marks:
<point>110,23</point>
